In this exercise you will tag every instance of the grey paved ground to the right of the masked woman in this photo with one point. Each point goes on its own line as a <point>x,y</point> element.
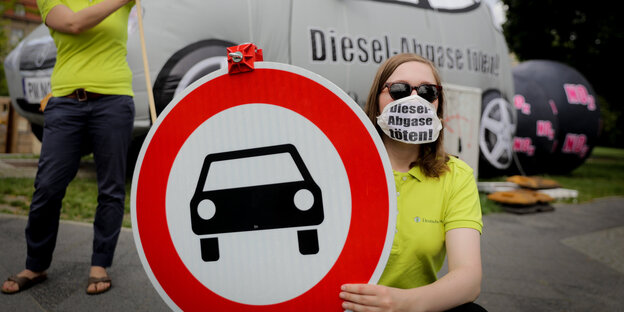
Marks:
<point>571,259</point>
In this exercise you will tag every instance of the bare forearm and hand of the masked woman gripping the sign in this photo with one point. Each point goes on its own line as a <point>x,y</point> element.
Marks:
<point>460,285</point>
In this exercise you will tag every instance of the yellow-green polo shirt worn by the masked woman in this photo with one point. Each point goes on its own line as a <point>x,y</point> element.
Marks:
<point>428,208</point>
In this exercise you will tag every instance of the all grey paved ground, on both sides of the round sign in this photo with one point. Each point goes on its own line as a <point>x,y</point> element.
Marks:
<point>571,259</point>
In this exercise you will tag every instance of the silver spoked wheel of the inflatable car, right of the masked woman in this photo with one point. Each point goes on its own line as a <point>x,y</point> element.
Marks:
<point>496,133</point>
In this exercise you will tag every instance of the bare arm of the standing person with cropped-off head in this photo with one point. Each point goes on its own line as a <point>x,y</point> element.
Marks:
<point>62,18</point>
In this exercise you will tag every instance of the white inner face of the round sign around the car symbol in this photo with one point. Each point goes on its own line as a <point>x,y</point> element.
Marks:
<point>258,267</point>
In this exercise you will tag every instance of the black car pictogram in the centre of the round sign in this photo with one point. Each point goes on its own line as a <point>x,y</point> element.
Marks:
<point>239,207</point>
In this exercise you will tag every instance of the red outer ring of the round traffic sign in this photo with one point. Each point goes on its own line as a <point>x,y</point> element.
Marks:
<point>367,178</point>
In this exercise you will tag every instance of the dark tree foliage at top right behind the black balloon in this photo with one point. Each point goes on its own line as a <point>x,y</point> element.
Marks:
<point>587,35</point>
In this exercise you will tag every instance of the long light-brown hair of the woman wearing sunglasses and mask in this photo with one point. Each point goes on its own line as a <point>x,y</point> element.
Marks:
<point>431,158</point>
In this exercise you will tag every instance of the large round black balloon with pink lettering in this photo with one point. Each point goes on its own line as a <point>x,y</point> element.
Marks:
<point>558,117</point>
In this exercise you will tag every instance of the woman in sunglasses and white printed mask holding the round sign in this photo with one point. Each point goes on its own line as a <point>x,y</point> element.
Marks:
<point>437,197</point>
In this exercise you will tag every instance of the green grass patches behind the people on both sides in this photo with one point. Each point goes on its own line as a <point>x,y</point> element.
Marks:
<point>601,175</point>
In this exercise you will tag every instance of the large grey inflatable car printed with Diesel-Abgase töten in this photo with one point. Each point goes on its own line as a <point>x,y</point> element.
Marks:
<point>344,41</point>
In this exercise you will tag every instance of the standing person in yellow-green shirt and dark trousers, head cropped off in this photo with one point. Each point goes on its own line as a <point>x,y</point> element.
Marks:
<point>92,106</point>
